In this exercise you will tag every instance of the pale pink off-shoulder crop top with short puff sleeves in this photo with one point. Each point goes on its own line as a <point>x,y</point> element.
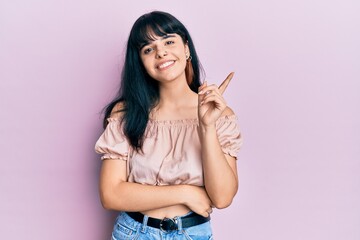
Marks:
<point>171,150</point>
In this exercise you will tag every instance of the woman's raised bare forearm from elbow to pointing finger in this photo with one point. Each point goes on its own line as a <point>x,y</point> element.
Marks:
<point>220,172</point>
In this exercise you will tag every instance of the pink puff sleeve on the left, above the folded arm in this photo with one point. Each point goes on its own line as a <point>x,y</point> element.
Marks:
<point>113,144</point>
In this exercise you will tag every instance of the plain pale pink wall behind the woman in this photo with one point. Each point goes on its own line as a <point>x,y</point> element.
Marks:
<point>296,92</point>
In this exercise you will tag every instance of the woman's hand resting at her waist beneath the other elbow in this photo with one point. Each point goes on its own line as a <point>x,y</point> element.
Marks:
<point>197,199</point>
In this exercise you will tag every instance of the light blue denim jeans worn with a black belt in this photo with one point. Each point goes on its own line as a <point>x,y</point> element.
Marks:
<point>126,228</point>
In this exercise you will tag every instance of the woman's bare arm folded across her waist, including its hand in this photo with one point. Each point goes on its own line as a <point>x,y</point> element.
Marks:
<point>118,194</point>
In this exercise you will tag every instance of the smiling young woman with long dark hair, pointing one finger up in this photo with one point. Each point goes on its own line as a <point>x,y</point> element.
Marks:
<point>170,144</point>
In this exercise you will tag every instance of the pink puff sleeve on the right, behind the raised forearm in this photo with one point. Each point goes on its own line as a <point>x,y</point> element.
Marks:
<point>229,135</point>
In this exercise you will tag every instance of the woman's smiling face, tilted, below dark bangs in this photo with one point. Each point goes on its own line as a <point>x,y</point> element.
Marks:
<point>164,58</point>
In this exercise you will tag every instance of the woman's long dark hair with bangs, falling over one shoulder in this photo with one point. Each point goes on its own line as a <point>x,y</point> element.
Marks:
<point>139,93</point>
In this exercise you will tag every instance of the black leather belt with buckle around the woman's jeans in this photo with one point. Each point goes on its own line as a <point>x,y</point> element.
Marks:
<point>168,224</point>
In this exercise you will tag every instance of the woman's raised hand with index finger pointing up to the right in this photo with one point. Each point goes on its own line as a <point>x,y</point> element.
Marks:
<point>211,102</point>
